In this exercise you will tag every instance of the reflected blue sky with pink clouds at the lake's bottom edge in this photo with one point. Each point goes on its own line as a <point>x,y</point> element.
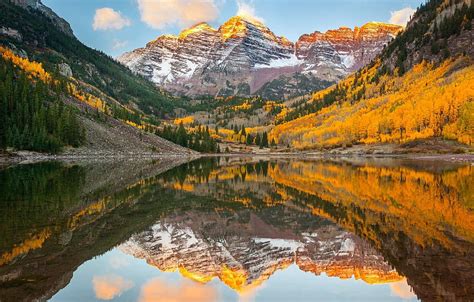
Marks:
<point>121,277</point>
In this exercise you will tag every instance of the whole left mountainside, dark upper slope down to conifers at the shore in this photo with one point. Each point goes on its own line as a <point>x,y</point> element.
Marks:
<point>56,92</point>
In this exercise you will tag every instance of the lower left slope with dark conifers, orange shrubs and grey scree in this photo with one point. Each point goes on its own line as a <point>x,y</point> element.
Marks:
<point>46,112</point>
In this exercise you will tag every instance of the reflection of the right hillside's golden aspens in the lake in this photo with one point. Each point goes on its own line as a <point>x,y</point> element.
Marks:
<point>426,207</point>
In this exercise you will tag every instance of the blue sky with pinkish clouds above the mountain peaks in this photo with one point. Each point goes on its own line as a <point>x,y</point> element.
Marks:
<point>116,26</point>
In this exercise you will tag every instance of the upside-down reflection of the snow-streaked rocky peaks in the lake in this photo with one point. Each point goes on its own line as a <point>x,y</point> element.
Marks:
<point>243,255</point>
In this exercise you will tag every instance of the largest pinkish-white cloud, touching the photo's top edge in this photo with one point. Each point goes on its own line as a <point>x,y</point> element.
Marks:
<point>162,13</point>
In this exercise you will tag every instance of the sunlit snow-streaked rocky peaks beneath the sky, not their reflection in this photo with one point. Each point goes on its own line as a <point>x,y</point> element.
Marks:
<point>245,57</point>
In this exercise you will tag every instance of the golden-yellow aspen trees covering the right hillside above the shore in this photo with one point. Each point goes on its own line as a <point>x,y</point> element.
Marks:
<point>428,101</point>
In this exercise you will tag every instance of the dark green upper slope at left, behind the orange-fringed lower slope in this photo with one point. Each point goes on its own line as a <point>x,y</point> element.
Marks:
<point>44,42</point>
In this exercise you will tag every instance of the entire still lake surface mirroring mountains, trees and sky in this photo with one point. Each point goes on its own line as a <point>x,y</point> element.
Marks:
<point>217,229</point>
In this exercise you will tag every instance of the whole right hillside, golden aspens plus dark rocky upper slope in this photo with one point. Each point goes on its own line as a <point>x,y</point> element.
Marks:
<point>419,87</point>
